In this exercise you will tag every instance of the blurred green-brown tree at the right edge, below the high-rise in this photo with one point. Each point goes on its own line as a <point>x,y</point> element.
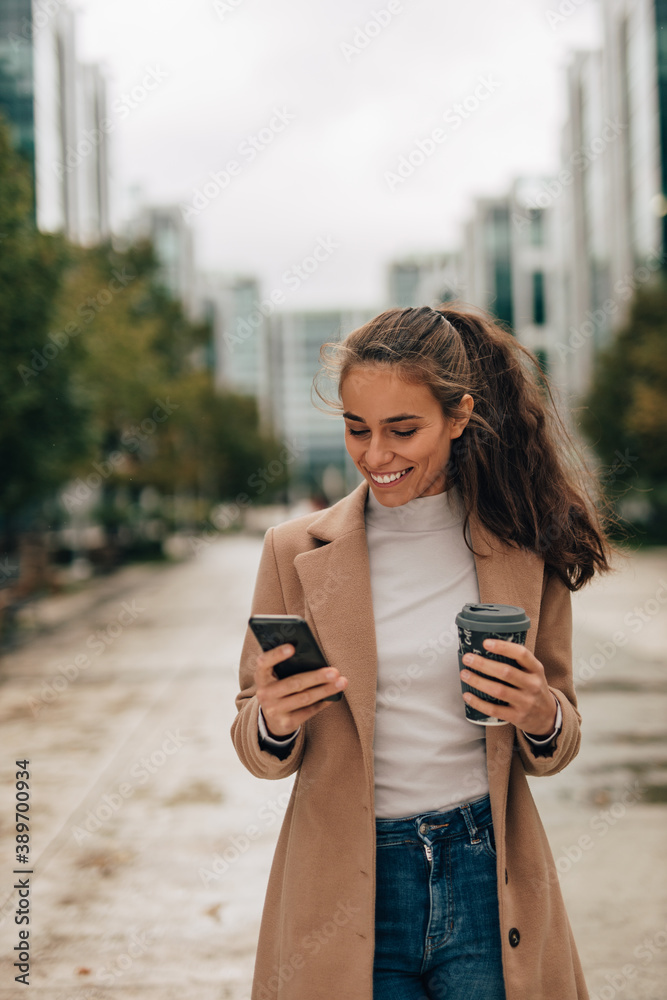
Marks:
<point>626,416</point>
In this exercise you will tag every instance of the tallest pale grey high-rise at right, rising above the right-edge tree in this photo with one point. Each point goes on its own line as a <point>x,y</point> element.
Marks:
<point>612,183</point>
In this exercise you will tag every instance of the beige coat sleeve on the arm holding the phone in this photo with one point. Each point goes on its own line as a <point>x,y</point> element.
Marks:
<point>268,600</point>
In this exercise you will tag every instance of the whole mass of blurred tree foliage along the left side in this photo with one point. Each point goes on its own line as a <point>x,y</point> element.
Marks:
<point>103,380</point>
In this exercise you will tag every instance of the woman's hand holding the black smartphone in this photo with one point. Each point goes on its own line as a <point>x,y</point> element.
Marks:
<point>288,702</point>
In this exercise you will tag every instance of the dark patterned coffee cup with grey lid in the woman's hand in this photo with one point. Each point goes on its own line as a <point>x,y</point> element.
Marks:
<point>477,622</point>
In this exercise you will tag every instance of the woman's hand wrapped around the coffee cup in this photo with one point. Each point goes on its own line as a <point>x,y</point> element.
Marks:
<point>531,705</point>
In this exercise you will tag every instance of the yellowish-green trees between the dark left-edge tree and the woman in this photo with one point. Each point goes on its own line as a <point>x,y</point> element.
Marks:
<point>156,416</point>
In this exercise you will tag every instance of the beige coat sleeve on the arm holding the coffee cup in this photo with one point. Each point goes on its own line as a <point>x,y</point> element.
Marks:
<point>553,648</point>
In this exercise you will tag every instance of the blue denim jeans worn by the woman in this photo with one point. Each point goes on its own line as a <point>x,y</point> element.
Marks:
<point>437,932</point>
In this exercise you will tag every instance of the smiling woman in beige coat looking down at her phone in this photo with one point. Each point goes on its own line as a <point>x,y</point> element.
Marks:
<point>411,863</point>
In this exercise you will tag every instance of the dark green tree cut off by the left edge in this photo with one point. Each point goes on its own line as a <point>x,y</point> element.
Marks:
<point>43,416</point>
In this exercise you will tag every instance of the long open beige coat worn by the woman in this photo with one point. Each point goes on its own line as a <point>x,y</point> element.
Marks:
<point>316,939</point>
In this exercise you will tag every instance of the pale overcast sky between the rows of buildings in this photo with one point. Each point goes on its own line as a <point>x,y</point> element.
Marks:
<point>347,99</point>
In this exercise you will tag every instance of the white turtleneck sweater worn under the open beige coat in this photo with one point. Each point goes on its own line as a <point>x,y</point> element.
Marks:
<point>427,755</point>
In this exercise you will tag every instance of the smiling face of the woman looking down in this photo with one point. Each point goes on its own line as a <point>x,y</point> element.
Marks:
<point>396,430</point>
